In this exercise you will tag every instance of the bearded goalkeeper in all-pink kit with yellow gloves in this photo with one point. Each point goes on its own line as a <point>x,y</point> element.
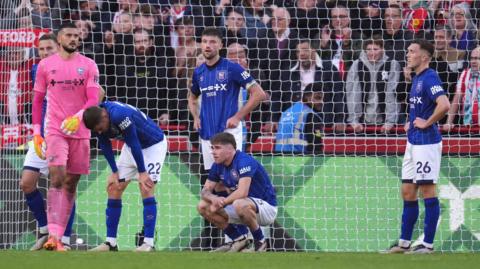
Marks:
<point>70,82</point>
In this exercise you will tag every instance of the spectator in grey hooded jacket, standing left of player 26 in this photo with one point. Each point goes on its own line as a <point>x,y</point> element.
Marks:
<point>371,86</point>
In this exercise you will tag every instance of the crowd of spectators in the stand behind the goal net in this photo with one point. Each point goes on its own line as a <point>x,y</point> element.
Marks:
<point>352,52</point>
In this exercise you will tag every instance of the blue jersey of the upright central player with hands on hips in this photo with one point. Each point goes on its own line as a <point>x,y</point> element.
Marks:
<point>219,87</point>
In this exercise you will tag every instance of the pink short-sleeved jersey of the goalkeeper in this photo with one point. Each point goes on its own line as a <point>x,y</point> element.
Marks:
<point>65,83</point>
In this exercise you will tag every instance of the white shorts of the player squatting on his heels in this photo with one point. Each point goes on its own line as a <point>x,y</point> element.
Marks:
<point>265,216</point>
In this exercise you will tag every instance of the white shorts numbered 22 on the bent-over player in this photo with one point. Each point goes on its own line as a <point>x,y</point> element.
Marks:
<point>153,157</point>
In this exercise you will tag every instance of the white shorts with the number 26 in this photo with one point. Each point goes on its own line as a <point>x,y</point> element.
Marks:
<point>421,163</point>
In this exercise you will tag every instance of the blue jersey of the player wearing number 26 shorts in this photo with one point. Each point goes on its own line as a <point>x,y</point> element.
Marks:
<point>426,87</point>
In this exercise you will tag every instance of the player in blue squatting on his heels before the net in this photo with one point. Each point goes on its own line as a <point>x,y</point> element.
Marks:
<point>251,200</point>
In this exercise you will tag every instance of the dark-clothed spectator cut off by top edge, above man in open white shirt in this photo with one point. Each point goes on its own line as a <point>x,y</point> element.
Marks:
<point>308,16</point>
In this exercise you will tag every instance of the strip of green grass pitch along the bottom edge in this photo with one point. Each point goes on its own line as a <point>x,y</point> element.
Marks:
<point>199,260</point>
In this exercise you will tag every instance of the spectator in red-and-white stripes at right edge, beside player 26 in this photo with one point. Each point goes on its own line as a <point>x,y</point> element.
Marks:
<point>467,95</point>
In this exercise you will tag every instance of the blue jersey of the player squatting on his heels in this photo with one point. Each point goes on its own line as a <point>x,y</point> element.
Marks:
<point>244,165</point>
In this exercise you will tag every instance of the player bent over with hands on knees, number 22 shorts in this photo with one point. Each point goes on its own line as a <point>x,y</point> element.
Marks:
<point>142,157</point>
